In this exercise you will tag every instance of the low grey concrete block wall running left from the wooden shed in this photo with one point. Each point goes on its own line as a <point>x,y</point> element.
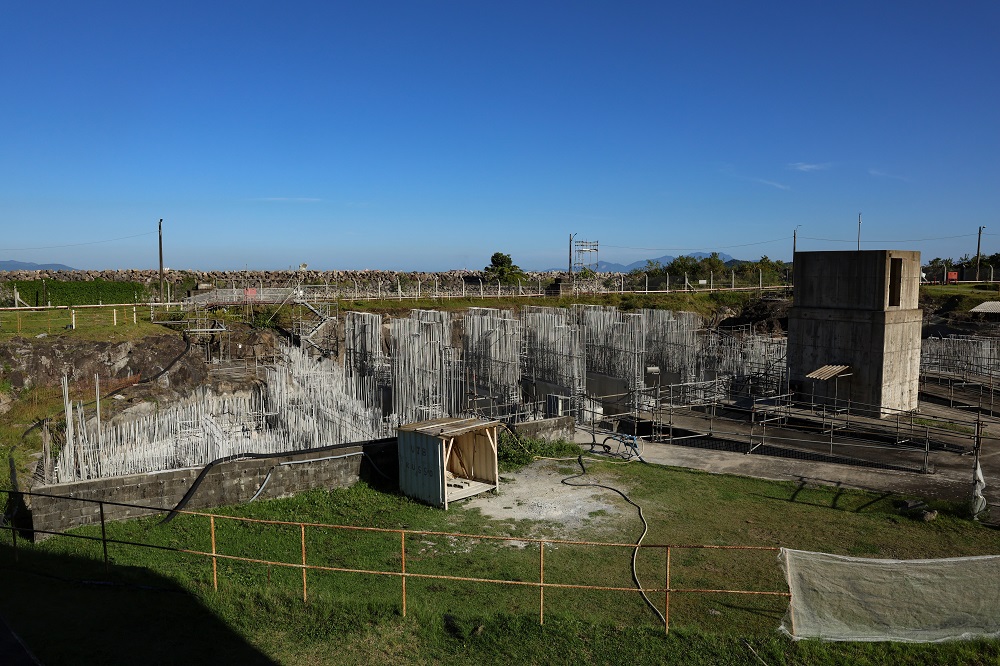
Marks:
<point>227,483</point>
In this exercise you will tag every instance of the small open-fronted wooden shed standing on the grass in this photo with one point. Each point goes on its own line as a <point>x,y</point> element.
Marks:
<point>448,459</point>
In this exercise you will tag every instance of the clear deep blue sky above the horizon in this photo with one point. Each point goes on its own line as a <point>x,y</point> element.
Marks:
<point>426,135</point>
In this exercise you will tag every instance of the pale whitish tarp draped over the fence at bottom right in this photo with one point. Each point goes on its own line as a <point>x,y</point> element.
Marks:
<point>841,598</point>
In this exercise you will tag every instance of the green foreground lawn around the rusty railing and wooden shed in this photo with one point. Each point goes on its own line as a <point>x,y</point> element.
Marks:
<point>351,617</point>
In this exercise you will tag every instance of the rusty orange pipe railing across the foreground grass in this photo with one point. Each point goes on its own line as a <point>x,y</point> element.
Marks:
<point>666,590</point>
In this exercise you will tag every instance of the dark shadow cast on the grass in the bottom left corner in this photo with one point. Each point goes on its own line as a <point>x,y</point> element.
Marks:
<point>68,611</point>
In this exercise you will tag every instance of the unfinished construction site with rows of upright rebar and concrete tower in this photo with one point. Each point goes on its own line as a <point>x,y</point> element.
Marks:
<point>622,379</point>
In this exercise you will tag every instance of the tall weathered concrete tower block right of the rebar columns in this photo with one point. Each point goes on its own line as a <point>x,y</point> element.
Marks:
<point>857,309</point>
